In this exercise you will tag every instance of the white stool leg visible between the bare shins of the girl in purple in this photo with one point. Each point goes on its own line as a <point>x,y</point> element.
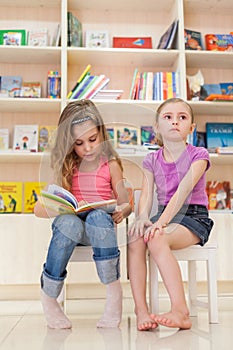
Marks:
<point>153,286</point>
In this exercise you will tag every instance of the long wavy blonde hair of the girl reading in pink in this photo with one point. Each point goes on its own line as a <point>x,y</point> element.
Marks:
<point>64,159</point>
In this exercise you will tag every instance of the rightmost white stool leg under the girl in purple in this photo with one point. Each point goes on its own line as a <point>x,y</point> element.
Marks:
<point>212,288</point>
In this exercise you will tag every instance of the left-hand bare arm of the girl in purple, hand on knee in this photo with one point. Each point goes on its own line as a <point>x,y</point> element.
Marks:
<point>145,205</point>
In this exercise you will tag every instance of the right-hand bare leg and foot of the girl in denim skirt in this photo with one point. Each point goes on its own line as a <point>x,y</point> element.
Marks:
<point>169,268</point>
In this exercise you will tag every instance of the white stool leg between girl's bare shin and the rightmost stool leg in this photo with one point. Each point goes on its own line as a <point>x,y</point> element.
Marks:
<point>192,287</point>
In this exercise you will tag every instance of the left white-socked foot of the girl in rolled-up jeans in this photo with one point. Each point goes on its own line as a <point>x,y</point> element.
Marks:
<point>54,315</point>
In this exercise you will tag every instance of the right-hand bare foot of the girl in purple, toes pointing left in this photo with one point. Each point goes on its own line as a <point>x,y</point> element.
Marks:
<point>174,320</point>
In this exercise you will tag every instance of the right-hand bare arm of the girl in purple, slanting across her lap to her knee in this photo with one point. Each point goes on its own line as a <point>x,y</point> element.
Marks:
<point>185,187</point>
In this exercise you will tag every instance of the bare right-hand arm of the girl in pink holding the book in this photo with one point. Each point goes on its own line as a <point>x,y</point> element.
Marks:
<point>124,208</point>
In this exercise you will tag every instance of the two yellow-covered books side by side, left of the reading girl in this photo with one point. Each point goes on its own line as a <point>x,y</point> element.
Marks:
<point>19,197</point>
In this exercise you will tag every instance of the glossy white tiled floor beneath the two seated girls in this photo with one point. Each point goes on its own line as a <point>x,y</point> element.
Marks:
<point>22,326</point>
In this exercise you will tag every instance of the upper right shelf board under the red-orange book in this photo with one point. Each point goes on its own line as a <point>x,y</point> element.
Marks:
<point>209,59</point>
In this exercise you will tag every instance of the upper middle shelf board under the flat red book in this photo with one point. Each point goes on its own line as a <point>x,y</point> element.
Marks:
<point>119,57</point>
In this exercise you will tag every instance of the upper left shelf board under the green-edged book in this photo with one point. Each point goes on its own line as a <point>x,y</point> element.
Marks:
<point>29,54</point>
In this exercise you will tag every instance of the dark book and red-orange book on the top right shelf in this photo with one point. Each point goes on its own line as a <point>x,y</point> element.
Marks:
<point>213,42</point>
